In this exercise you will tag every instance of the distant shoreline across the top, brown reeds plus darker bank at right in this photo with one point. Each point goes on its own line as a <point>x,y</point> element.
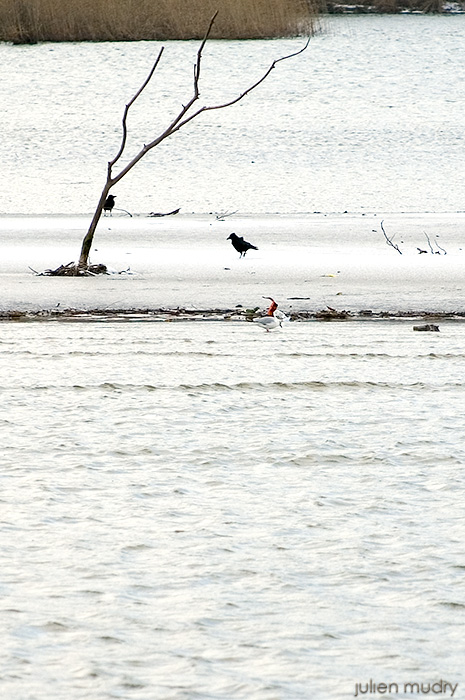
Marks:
<point>21,25</point>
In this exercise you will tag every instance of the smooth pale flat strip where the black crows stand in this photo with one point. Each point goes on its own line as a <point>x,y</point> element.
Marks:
<point>184,266</point>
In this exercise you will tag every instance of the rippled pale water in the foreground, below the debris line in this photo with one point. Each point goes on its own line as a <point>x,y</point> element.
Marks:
<point>204,510</point>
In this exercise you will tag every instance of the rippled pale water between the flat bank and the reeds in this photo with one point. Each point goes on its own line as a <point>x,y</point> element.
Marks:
<point>369,118</point>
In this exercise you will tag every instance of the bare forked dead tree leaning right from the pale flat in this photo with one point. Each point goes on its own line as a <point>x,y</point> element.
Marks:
<point>186,115</point>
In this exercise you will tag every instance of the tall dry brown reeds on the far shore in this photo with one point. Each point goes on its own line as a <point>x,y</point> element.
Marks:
<point>28,21</point>
